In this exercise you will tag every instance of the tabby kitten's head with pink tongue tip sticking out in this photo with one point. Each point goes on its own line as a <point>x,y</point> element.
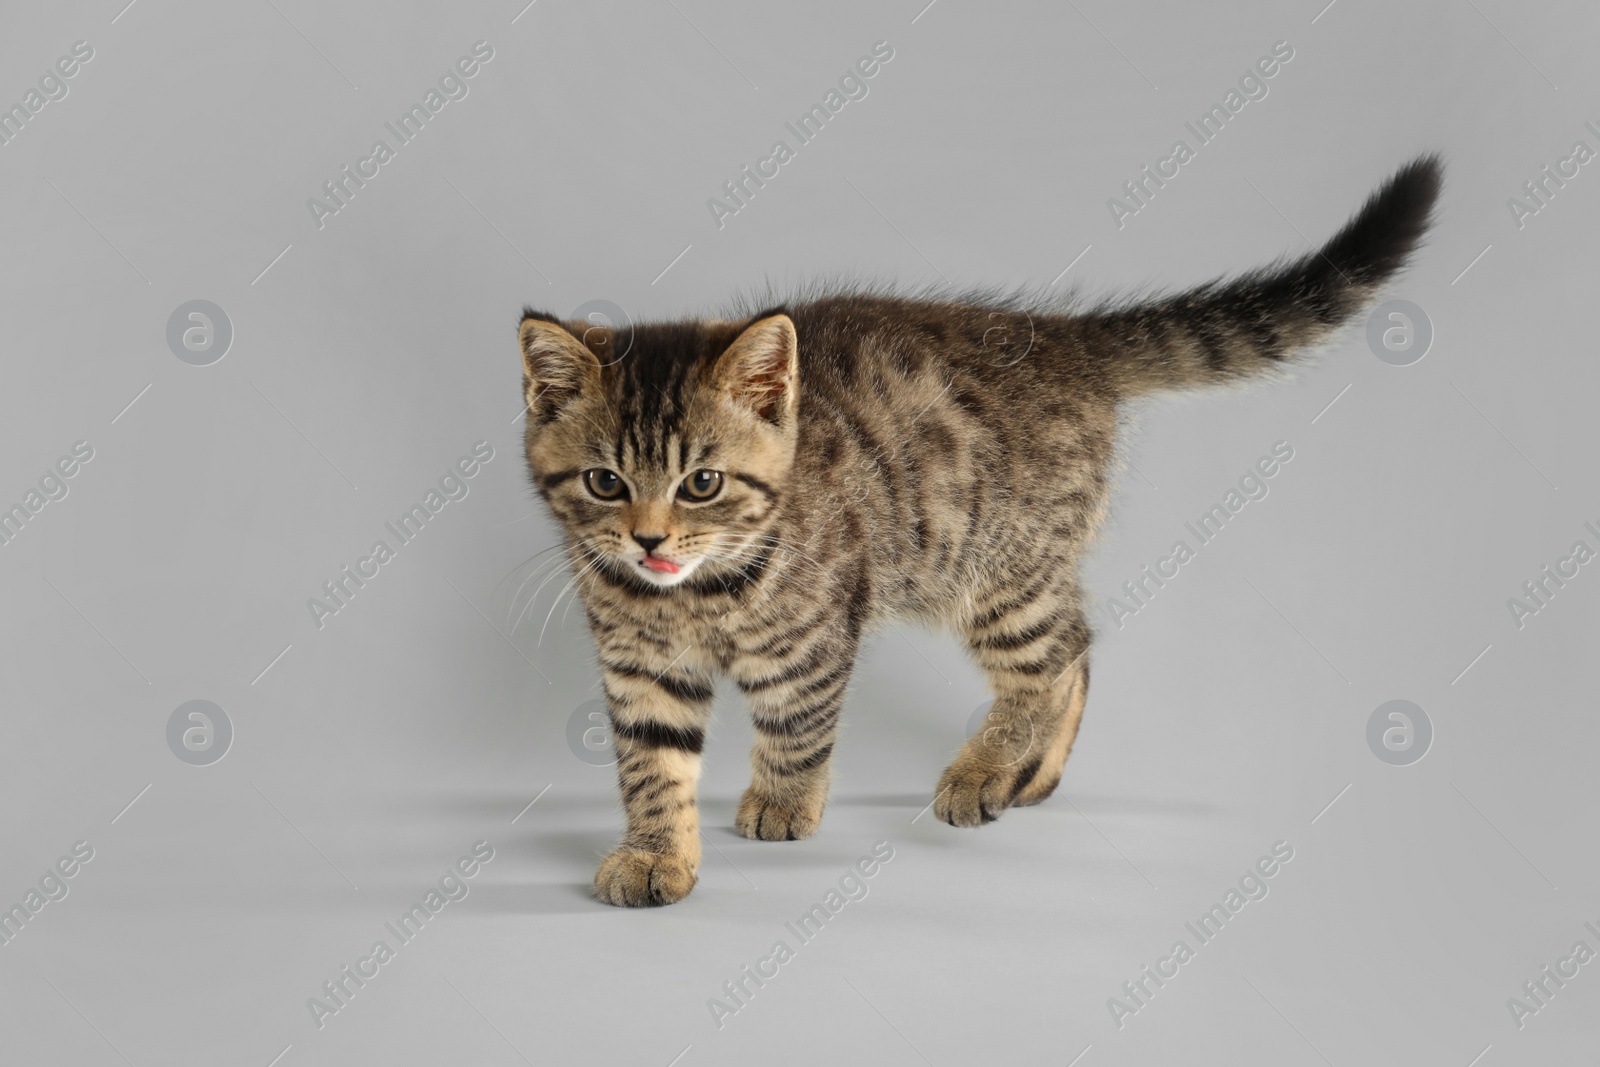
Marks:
<point>666,460</point>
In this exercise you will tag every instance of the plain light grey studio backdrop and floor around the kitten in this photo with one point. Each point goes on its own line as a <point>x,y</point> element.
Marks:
<point>372,353</point>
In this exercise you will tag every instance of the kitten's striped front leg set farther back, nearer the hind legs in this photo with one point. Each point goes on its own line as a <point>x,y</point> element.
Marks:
<point>796,685</point>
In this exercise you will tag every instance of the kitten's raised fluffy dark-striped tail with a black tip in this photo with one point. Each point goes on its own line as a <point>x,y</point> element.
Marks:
<point>1231,330</point>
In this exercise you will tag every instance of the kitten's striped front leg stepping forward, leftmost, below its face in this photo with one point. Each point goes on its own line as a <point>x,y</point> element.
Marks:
<point>658,727</point>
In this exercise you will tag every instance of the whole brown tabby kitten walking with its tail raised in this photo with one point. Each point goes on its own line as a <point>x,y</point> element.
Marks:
<point>753,497</point>
